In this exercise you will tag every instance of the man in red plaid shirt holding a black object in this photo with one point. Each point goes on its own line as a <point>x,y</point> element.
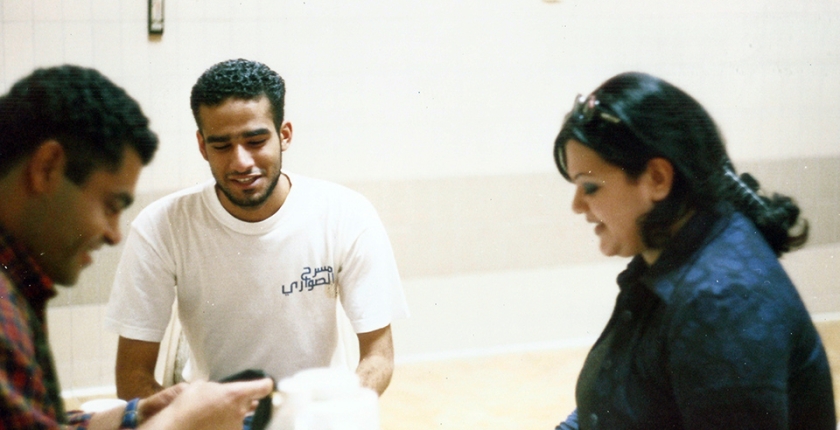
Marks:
<point>72,145</point>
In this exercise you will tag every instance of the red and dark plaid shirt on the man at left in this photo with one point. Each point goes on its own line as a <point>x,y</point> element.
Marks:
<point>29,389</point>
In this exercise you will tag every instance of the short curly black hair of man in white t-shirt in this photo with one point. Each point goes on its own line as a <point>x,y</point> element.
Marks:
<point>241,79</point>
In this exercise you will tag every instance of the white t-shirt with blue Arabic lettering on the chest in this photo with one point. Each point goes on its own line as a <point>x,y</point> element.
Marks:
<point>257,295</point>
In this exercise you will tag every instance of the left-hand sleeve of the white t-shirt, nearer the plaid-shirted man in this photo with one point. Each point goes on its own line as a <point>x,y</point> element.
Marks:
<point>144,286</point>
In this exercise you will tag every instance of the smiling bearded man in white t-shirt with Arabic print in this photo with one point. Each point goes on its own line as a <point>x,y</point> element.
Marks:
<point>257,258</point>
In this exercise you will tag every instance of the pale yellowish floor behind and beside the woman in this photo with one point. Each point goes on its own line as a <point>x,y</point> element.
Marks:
<point>514,391</point>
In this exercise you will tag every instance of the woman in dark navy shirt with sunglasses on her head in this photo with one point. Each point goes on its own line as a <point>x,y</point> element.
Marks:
<point>708,331</point>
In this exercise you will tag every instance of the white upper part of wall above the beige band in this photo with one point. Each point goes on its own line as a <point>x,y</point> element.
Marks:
<point>416,89</point>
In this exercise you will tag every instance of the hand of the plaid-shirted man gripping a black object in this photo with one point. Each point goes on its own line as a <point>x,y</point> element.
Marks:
<point>211,405</point>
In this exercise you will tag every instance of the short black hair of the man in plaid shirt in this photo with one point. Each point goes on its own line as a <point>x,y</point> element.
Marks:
<point>92,118</point>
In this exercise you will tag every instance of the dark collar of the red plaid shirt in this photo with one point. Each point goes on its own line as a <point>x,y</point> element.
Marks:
<point>25,273</point>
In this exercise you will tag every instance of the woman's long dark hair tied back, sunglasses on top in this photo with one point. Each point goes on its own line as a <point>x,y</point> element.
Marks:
<point>634,117</point>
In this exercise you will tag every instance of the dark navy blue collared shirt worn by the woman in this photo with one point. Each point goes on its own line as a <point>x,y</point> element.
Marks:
<point>713,336</point>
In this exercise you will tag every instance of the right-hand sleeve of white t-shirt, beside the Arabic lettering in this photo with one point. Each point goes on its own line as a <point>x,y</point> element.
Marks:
<point>370,288</point>
